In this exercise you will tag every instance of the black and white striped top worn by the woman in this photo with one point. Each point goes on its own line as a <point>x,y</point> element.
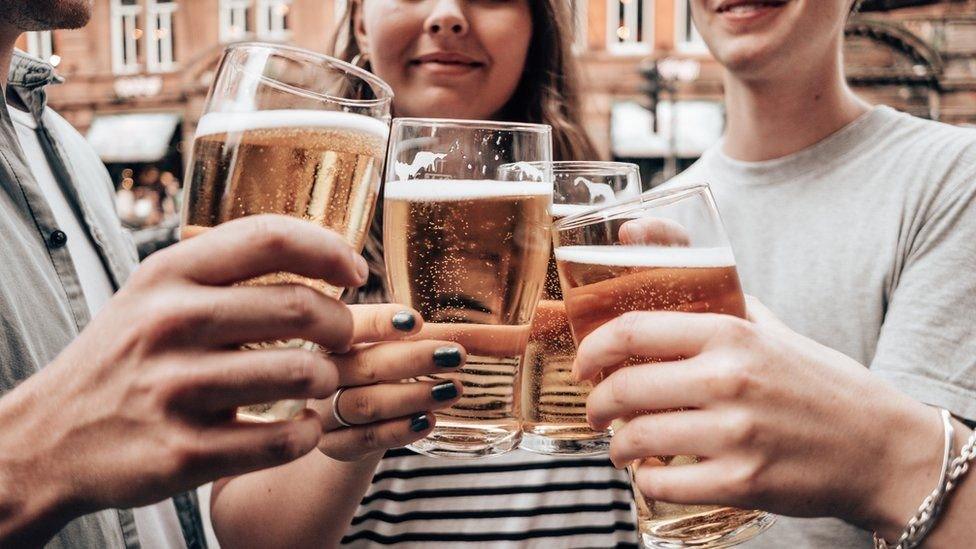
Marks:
<point>515,500</point>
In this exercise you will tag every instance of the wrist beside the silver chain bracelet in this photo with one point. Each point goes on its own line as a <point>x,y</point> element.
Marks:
<point>907,469</point>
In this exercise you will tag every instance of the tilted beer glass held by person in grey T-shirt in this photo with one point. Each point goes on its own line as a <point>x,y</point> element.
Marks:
<point>664,251</point>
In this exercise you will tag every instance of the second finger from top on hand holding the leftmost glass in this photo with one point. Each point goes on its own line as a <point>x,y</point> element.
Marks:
<point>249,314</point>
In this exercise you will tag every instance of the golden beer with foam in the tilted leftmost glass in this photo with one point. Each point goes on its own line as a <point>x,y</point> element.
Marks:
<point>320,166</point>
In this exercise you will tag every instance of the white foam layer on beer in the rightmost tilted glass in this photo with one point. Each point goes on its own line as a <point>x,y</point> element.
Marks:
<point>647,256</point>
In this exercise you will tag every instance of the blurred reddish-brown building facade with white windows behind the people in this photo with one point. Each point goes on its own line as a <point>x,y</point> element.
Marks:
<point>137,75</point>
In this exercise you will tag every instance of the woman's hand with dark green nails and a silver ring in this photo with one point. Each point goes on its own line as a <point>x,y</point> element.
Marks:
<point>384,411</point>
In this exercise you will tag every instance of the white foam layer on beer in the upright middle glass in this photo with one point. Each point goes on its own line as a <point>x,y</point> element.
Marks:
<point>444,190</point>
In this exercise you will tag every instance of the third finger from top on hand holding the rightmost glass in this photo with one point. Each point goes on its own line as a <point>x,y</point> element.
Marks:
<point>686,432</point>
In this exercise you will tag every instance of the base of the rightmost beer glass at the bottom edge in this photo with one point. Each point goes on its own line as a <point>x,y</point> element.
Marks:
<point>699,531</point>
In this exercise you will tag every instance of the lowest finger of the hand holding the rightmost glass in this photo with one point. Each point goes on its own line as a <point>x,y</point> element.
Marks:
<point>695,483</point>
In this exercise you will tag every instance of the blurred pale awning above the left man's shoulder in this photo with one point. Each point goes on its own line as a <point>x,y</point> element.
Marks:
<point>141,137</point>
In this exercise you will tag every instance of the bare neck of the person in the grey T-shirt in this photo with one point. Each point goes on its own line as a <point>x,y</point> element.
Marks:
<point>774,117</point>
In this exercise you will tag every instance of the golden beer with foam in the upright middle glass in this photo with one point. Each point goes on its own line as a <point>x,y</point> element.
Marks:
<point>471,256</point>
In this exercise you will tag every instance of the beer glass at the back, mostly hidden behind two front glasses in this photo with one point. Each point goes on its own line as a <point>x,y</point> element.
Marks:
<point>553,405</point>
